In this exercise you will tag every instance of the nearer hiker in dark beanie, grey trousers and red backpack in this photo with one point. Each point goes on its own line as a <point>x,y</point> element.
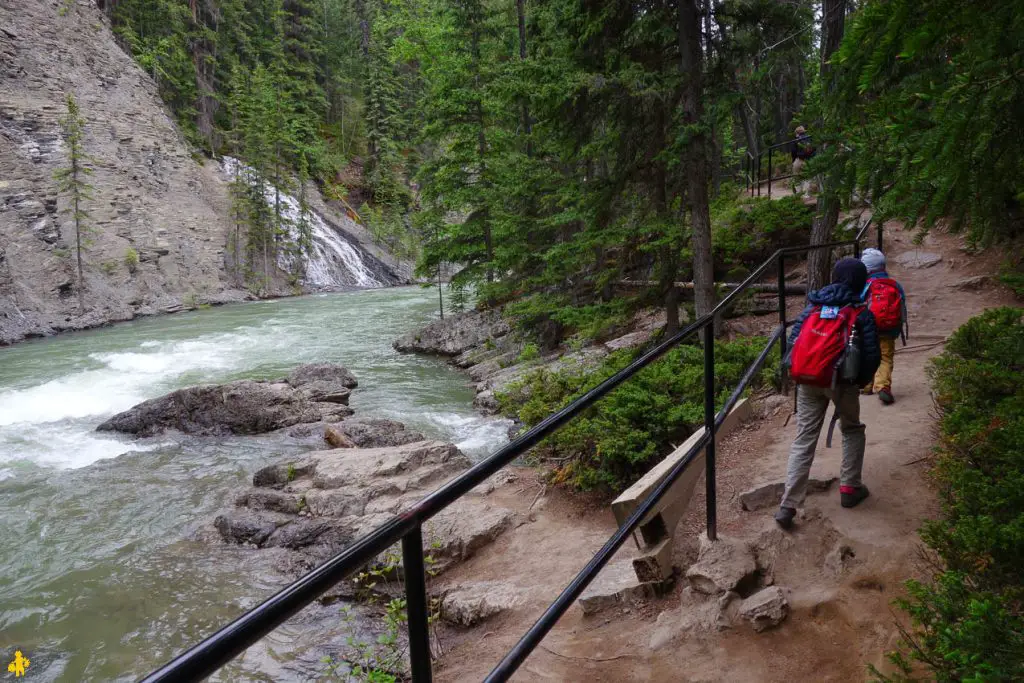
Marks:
<point>834,352</point>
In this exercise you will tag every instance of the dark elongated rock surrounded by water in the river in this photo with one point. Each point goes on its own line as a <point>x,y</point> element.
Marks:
<point>311,394</point>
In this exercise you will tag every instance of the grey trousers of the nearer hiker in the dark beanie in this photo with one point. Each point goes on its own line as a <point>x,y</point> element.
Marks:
<point>813,405</point>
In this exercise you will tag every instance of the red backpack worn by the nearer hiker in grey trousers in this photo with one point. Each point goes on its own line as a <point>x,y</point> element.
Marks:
<point>821,346</point>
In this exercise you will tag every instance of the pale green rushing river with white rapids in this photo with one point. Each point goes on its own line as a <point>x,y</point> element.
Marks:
<point>104,577</point>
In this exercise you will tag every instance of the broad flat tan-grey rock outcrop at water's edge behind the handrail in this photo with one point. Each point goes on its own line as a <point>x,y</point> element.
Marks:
<point>320,503</point>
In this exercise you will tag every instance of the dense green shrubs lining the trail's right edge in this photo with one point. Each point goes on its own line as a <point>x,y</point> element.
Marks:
<point>969,618</point>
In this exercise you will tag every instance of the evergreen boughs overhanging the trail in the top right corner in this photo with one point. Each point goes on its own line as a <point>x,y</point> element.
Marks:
<point>928,101</point>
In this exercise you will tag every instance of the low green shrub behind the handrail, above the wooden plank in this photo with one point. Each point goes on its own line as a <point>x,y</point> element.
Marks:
<point>611,445</point>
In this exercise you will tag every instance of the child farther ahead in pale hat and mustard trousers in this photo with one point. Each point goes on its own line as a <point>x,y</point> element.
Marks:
<point>887,301</point>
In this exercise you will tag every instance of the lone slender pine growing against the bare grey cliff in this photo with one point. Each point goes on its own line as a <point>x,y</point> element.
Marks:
<point>72,183</point>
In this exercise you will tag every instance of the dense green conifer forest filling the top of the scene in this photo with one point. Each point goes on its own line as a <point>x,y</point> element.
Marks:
<point>543,151</point>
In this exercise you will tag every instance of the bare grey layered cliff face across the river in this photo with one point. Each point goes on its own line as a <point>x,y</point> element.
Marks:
<point>152,197</point>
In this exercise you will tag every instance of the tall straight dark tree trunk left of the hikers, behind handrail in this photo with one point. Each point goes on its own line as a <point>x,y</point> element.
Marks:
<point>693,67</point>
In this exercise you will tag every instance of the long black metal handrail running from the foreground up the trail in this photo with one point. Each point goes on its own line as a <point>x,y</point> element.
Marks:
<point>217,651</point>
